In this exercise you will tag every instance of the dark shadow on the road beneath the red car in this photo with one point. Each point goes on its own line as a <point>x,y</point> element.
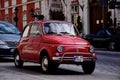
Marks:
<point>35,70</point>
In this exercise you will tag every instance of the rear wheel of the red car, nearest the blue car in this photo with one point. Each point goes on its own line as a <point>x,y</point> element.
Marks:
<point>17,61</point>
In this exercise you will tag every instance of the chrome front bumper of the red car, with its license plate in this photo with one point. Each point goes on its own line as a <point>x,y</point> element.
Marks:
<point>76,58</point>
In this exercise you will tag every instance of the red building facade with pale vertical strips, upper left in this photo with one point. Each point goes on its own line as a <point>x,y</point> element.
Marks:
<point>18,11</point>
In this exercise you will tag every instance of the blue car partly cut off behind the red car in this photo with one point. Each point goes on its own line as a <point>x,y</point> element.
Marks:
<point>9,38</point>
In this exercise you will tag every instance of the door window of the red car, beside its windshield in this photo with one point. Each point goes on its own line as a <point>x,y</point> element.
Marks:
<point>35,30</point>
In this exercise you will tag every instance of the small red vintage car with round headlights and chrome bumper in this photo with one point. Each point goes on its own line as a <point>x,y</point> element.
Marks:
<point>52,43</point>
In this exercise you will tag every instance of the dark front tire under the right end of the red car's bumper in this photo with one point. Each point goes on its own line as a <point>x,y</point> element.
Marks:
<point>88,68</point>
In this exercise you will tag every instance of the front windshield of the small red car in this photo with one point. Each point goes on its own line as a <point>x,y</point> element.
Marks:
<point>59,28</point>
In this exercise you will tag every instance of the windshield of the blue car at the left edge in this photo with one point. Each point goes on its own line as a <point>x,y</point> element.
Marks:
<point>8,29</point>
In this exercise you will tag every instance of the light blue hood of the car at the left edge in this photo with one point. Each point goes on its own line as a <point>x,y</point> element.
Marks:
<point>10,37</point>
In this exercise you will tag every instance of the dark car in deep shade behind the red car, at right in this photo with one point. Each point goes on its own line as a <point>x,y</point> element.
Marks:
<point>104,39</point>
